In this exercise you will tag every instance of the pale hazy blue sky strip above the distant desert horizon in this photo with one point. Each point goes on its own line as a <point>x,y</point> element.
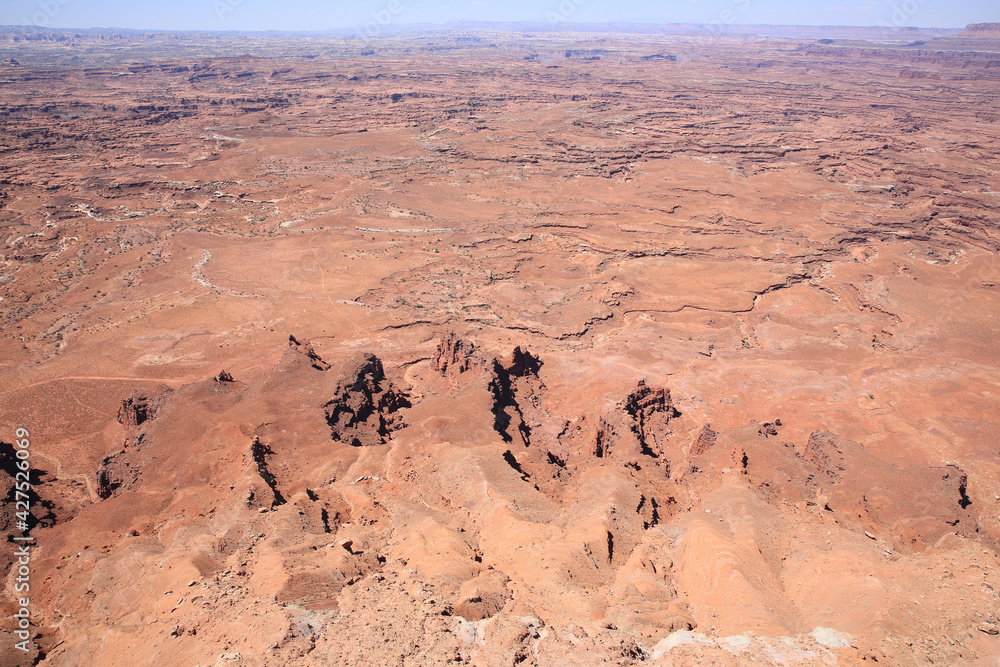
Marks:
<point>320,15</point>
